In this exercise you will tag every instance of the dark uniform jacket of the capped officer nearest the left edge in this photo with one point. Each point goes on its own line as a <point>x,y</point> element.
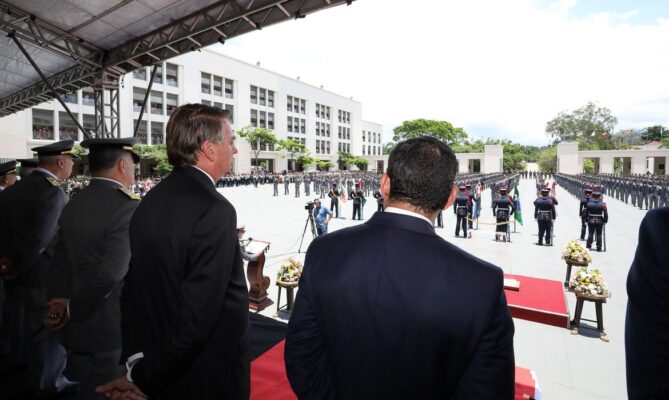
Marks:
<point>32,207</point>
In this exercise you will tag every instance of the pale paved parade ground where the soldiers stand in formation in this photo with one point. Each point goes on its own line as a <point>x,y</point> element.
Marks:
<point>566,366</point>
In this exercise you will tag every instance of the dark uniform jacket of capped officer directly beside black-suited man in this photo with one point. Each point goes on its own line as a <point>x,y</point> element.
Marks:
<point>91,258</point>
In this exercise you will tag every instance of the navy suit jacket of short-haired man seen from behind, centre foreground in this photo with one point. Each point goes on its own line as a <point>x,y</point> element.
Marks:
<point>389,310</point>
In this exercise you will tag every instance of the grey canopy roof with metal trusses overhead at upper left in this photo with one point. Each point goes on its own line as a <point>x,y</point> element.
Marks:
<point>74,42</point>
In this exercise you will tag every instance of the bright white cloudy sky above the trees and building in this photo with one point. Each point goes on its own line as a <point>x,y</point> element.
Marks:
<point>499,69</point>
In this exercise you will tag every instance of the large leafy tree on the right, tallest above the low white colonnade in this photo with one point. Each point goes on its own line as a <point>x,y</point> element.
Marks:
<point>590,123</point>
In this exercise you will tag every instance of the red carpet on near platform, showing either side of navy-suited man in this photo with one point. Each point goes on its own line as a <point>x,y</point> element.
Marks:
<point>269,380</point>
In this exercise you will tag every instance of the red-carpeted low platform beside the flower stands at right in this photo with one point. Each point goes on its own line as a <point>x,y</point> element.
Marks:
<point>539,300</point>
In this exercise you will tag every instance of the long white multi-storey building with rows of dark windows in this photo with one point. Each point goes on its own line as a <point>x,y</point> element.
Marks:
<point>324,122</point>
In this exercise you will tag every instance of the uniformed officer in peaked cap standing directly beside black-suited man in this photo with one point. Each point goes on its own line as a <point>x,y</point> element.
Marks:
<point>91,258</point>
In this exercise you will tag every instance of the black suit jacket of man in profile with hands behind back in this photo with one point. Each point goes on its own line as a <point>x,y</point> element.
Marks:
<point>185,301</point>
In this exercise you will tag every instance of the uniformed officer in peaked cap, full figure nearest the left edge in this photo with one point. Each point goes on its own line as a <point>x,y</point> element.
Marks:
<point>33,207</point>
